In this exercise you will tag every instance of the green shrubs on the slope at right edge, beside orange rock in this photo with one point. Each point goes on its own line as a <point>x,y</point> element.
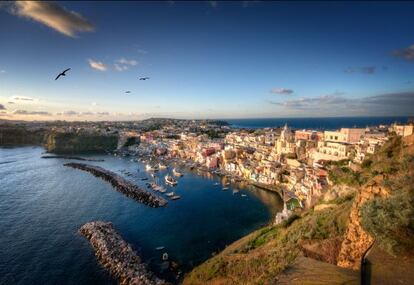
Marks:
<point>391,220</point>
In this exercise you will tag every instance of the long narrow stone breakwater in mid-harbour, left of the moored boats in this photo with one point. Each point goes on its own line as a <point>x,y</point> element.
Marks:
<point>122,185</point>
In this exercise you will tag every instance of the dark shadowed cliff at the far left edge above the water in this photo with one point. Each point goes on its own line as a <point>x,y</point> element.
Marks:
<point>15,135</point>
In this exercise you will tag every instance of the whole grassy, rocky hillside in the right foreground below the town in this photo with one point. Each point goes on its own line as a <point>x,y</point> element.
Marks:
<point>334,232</point>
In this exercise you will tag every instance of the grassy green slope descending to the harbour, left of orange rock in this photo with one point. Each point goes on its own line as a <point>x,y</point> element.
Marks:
<point>262,255</point>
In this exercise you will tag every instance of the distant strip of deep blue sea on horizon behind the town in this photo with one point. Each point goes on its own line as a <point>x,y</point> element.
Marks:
<point>315,123</point>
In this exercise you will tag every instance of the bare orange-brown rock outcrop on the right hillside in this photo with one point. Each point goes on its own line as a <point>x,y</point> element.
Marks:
<point>357,240</point>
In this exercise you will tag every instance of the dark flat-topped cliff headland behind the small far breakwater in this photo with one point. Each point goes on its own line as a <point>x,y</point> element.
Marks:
<point>77,143</point>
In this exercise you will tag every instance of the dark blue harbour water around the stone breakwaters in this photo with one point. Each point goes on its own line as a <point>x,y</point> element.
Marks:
<point>43,204</point>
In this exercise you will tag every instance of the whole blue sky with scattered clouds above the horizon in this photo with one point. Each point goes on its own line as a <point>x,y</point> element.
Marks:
<point>241,59</point>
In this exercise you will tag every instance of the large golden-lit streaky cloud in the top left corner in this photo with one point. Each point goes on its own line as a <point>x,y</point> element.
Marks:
<point>54,16</point>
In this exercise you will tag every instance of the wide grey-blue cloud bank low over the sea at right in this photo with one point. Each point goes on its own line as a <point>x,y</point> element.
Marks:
<point>392,104</point>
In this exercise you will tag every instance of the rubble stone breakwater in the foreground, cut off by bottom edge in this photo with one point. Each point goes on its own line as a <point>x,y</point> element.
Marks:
<point>117,256</point>
